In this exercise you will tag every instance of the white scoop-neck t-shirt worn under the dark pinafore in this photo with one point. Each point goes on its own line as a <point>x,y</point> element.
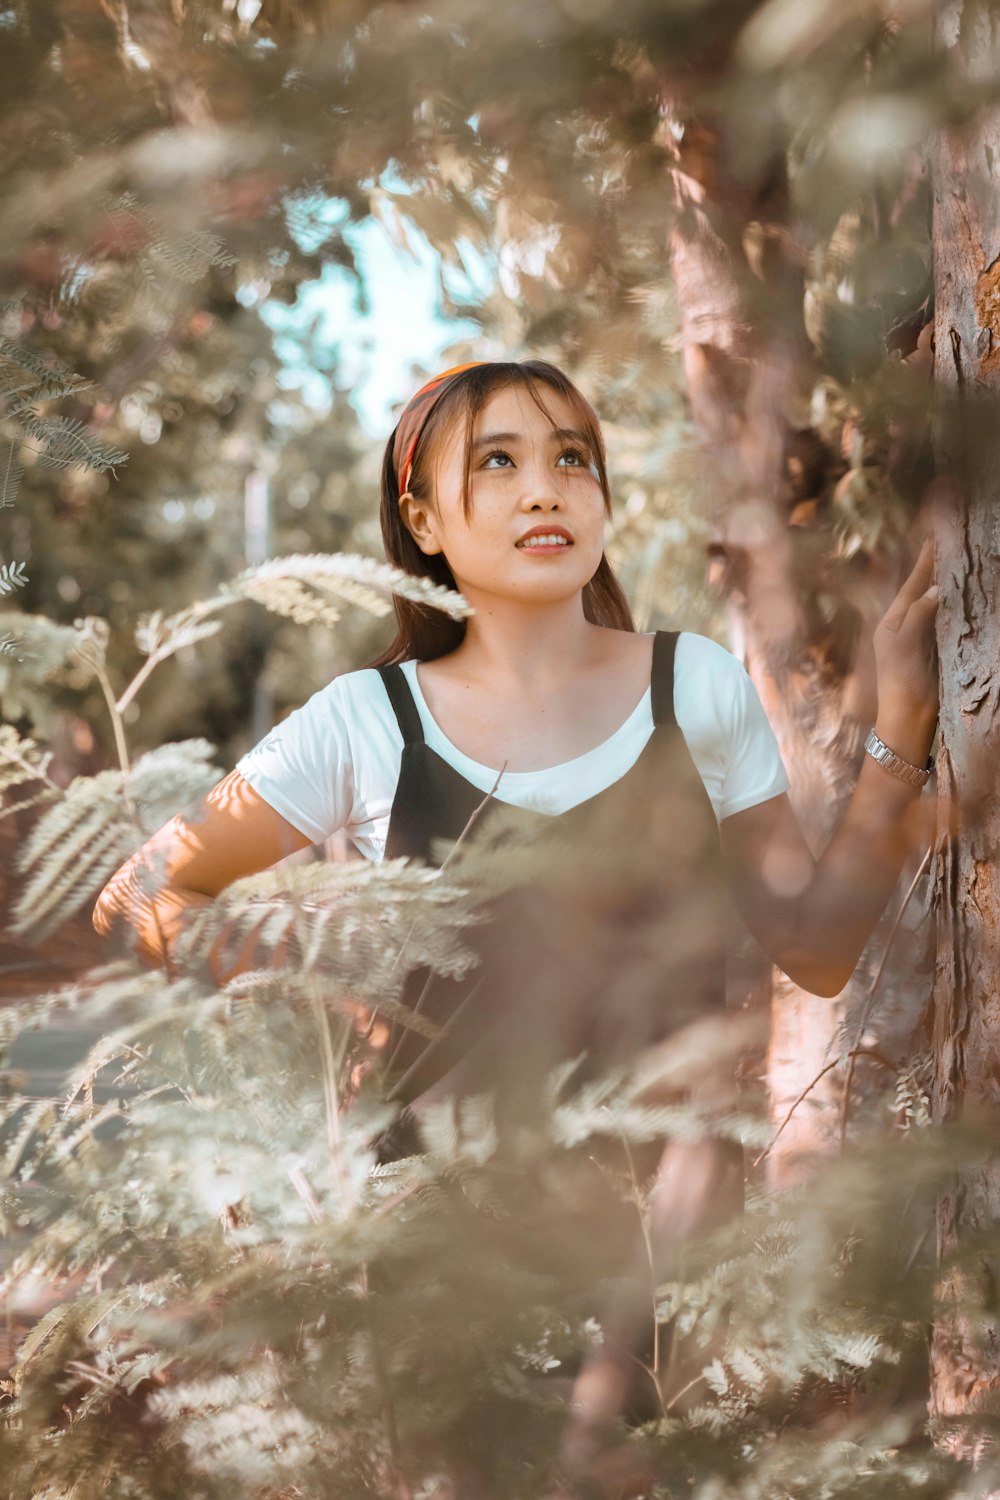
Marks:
<point>335,763</point>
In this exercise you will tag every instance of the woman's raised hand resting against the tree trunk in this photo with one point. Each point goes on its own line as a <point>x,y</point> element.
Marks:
<point>906,649</point>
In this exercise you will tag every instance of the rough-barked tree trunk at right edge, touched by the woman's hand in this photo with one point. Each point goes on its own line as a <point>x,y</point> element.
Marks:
<point>965,1018</point>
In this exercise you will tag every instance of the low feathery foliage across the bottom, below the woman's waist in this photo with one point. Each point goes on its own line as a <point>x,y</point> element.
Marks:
<point>263,1307</point>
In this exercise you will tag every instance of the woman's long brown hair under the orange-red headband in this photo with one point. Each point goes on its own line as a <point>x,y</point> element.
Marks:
<point>422,631</point>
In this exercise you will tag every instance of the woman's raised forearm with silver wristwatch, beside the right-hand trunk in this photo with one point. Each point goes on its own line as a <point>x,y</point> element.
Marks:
<point>860,869</point>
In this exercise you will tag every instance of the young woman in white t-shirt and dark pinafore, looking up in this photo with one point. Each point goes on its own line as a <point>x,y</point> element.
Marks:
<point>549,709</point>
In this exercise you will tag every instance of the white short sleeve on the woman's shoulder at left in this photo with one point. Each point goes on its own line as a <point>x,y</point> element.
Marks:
<point>304,769</point>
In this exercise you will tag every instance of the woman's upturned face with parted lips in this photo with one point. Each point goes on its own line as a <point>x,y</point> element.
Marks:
<point>525,475</point>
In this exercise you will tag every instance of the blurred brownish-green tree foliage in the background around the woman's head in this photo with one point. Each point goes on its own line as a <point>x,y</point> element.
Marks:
<point>543,143</point>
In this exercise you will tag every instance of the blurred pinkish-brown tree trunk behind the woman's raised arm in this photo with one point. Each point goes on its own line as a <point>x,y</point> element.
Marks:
<point>749,364</point>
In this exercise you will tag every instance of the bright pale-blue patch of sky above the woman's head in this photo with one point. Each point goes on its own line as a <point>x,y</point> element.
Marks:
<point>371,353</point>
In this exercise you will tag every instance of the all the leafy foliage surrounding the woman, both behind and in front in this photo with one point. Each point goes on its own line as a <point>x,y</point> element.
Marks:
<point>263,1310</point>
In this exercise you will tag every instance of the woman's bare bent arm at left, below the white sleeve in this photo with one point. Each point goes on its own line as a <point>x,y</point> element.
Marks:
<point>233,832</point>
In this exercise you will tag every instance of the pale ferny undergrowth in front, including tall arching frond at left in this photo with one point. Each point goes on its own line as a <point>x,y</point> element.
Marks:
<point>253,1304</point>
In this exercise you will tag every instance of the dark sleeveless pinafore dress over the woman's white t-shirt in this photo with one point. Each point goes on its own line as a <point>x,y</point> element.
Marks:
<point>615,944</point>
